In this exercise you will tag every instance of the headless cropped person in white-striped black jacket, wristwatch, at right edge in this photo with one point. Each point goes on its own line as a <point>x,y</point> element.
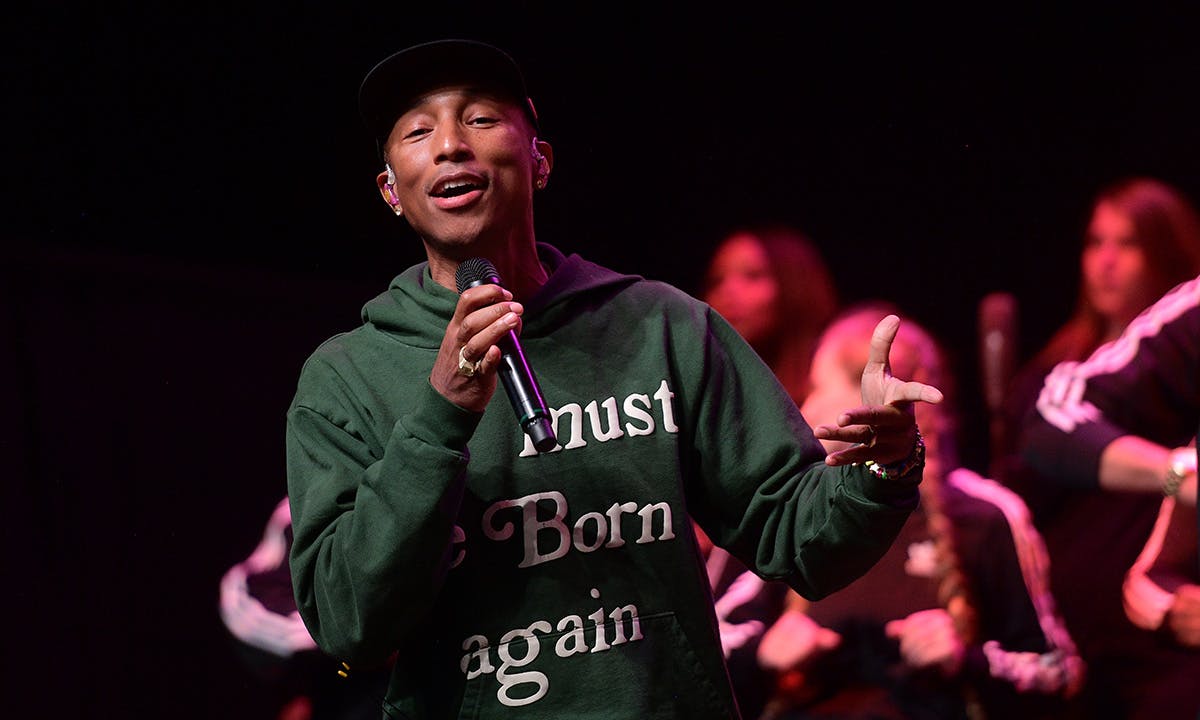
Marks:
<point>1123,425</point>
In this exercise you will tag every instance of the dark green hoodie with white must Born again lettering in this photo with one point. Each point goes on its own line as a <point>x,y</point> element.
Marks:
<point>506,584</point>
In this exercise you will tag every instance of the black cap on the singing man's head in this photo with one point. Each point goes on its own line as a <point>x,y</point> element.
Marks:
<point>392,86</point>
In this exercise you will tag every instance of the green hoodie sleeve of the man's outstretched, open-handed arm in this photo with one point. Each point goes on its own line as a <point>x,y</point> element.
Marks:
<point>765,493</point>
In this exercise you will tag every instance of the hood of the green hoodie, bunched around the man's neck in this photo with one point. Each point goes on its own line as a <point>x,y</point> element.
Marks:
<point>416,309</point>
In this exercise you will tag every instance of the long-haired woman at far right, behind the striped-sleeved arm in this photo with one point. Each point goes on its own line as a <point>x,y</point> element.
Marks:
<point>1142,239</point>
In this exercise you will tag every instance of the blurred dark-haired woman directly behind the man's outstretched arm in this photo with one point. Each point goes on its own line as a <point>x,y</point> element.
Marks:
<point>775,287</point>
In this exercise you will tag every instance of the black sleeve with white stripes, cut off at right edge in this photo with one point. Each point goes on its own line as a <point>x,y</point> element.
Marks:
<point>1145,383</point>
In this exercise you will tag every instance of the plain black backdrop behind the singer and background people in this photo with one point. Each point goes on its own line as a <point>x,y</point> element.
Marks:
<point>195,212</point>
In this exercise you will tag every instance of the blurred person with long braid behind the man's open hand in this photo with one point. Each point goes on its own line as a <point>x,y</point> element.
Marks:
<point>957,620</point>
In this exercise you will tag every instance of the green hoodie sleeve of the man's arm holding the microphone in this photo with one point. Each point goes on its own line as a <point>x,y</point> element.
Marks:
<point>364,517</point>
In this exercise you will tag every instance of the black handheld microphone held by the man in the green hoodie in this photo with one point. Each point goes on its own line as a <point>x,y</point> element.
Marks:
<point>515,374</point>
